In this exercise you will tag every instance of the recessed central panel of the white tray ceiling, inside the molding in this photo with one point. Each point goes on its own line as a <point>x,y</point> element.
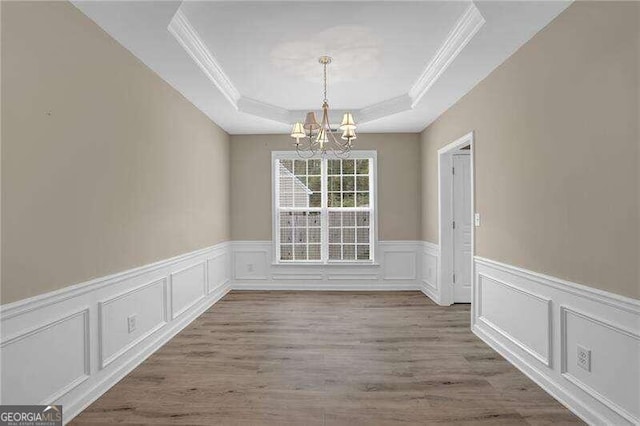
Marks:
<point>270,50</point>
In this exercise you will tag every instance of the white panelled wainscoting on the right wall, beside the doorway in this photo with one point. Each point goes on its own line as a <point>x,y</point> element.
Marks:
<point>537,322</point>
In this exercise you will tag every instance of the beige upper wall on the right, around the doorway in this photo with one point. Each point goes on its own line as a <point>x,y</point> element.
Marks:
<point>557,144</point>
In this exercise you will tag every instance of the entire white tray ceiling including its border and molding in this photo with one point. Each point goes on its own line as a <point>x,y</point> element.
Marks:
<point>252,66</point>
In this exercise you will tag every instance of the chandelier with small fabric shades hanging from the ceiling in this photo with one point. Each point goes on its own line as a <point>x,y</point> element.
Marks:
<point>312,137</point>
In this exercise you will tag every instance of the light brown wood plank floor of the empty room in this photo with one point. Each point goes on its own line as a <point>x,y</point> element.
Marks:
<point>327,358</point>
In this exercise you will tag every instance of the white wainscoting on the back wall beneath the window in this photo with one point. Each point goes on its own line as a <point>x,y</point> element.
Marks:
<point>398,269</point>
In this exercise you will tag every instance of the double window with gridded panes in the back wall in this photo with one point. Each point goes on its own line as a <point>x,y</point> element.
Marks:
<point>324,208</point>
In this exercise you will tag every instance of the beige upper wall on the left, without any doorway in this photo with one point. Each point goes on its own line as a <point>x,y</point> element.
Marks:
<point>104,166</point>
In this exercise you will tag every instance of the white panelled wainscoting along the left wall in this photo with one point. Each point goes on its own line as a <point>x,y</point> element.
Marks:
<point>70,346</point>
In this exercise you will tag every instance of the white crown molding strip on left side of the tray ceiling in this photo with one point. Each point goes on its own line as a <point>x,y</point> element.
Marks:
<point>186,35</point>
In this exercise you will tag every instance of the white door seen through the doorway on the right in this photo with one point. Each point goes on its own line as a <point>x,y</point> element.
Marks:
<point>462,216</point>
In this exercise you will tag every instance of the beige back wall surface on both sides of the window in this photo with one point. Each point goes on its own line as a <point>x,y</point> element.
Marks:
<point>398,184</point>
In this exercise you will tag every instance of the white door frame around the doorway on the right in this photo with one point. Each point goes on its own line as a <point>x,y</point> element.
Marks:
<point>445,215</point>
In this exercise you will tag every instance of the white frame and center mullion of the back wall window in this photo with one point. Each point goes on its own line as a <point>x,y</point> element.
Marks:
<point>373,203</point>
